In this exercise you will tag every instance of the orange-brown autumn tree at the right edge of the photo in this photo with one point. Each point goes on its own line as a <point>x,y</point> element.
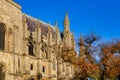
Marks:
<point>110,60</point>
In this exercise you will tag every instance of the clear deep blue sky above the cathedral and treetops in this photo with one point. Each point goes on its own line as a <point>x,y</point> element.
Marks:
<point>100,16</point>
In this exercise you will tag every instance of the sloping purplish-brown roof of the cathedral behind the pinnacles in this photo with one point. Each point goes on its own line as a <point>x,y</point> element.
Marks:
<point>32,22</point>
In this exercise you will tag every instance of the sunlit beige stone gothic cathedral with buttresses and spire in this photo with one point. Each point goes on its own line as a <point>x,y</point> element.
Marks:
<point>29,47</point>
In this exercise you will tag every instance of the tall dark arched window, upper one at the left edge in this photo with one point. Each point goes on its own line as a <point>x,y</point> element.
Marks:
<point>2,36</point>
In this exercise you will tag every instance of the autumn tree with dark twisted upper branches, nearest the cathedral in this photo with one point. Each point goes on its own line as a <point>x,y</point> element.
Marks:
<point>84,65</point>
